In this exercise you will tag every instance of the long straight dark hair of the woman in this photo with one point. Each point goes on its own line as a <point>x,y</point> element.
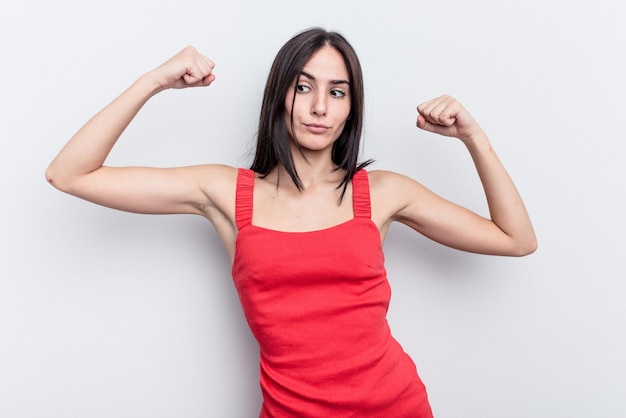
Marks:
<point>273,136</point>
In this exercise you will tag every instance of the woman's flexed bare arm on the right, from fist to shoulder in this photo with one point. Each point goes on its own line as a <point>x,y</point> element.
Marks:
<point>508,232</point>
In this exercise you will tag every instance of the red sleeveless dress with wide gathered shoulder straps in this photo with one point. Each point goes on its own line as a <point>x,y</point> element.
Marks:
<point>317,303</point>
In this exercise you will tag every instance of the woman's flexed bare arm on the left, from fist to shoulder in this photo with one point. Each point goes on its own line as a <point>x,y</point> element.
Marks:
<point>79,167</point>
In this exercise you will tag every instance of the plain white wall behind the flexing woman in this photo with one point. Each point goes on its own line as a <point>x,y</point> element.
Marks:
<point>109,314</point>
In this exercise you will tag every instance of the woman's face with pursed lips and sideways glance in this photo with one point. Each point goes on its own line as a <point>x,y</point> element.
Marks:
<point>322,101</point>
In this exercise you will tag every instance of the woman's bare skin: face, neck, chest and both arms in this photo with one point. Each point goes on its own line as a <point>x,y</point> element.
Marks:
<point>321,107</point>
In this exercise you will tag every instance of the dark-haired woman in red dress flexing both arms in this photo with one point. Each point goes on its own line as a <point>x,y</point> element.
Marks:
<point>304,226</point>
